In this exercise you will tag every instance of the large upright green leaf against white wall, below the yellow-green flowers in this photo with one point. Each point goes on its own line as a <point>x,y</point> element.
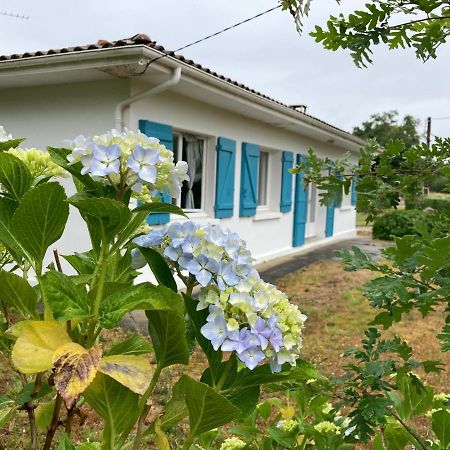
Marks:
<point>40,219</point>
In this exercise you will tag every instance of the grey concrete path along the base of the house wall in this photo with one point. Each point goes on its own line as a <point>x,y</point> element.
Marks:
<point>279,267</point>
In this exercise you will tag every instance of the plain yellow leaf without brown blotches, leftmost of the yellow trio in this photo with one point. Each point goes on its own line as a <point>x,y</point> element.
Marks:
<point>36,342</point>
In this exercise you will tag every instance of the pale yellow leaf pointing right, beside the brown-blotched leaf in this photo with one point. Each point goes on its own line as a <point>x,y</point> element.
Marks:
<point>134,372</point>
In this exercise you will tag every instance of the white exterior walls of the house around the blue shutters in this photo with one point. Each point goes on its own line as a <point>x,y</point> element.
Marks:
<point>48,115</point>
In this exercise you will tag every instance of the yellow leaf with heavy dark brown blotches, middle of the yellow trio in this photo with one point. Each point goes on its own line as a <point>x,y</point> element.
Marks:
<point>75,370</point>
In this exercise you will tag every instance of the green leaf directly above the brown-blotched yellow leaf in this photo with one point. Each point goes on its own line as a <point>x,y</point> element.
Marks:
<point>65,299</point>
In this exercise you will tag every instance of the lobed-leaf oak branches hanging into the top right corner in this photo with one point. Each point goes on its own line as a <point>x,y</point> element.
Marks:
<point>423,25</point>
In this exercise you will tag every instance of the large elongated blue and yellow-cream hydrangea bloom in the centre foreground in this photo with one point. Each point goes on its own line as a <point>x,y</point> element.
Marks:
<point>245,315</point>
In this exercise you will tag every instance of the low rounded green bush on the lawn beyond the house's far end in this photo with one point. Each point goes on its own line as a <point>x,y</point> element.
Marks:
<point>399,223</point>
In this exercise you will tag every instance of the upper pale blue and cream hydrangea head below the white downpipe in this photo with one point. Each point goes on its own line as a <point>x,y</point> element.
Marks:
<point>130,160</point>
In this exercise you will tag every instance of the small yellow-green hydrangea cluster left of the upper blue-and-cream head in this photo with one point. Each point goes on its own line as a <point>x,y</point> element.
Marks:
<point>38,162</point>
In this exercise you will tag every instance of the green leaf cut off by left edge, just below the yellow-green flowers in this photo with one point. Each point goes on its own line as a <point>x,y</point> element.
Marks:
<point>15,177</point>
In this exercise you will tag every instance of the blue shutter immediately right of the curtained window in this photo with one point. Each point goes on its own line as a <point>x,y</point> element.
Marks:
<point>226,159</point>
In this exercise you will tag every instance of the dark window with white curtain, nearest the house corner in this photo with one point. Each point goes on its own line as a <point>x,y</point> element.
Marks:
<point>190,148</point>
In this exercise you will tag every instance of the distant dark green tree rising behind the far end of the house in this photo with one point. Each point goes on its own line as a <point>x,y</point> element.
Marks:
<point>385,127</point>
